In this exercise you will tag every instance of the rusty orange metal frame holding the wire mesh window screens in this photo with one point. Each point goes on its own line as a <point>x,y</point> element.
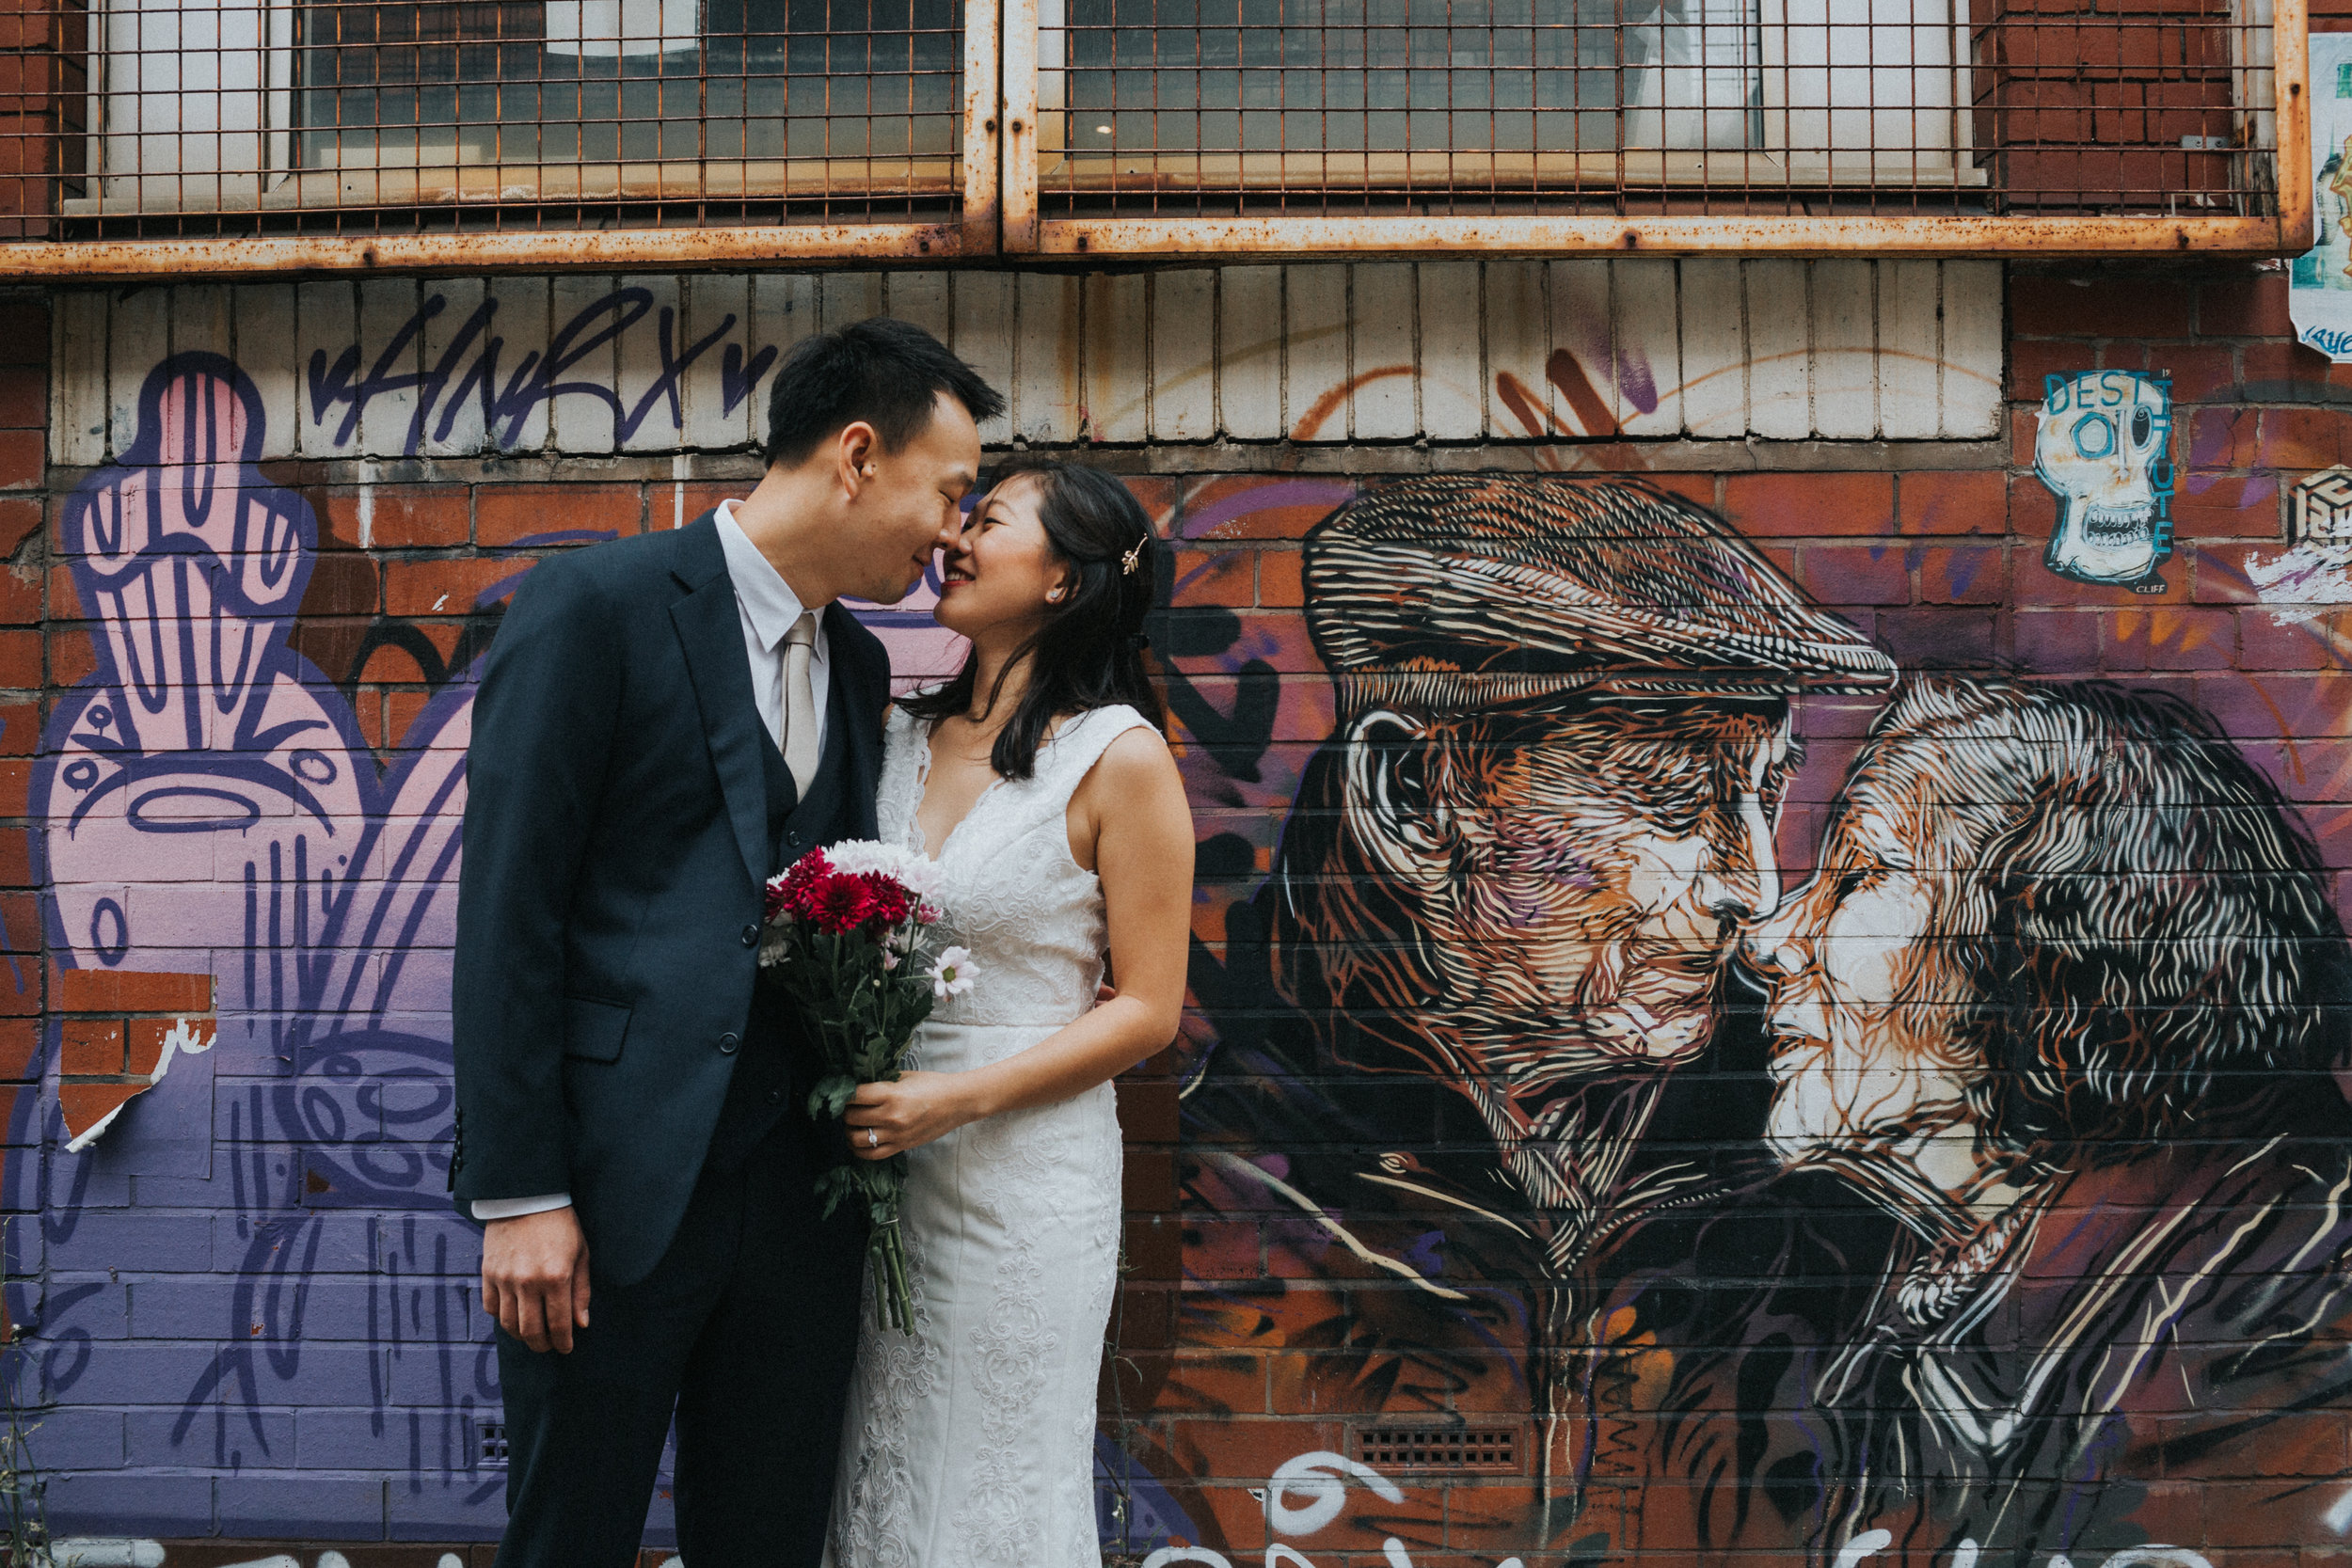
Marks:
<point>1001,217</point>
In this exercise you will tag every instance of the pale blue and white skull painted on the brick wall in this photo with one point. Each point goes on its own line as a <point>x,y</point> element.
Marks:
<point>2104,450</point>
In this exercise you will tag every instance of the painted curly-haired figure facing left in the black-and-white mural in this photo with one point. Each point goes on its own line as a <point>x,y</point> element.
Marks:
<point>2064,1000</point>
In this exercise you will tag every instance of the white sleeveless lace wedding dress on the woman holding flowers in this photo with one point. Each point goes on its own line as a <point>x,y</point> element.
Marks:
<point>973,1440</point>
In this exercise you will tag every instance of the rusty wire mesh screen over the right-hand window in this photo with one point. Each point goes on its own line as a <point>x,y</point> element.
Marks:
<point>1655,107</point>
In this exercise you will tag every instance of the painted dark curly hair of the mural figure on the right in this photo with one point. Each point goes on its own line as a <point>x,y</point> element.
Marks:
<point>2149,934</point>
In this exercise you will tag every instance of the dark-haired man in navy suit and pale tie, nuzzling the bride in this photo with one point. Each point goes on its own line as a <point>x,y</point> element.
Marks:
<point>664,723</point>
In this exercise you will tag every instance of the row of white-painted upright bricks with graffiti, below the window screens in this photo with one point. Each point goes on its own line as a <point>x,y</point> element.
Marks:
<point>1375,351</point>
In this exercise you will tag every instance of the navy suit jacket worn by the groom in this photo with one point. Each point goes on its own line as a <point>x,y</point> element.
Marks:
<point>610,892</point>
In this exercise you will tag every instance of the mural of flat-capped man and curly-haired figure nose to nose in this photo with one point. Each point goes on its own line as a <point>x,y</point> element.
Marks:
<point>1951,1207</point>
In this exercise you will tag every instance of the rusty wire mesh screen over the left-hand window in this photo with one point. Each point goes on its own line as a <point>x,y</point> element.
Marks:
<point>274,116</point>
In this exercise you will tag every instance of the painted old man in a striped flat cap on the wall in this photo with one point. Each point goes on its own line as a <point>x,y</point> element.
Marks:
<point>1499,920</point>
